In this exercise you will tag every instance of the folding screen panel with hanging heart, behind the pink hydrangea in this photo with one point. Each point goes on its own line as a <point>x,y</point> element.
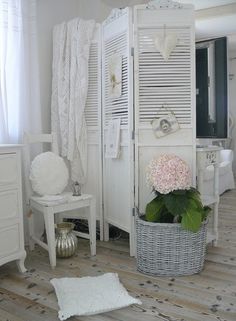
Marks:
<point>159,82</point>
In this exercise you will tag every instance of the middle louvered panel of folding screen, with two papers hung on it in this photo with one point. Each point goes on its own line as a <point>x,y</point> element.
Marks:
<point>118,180</point>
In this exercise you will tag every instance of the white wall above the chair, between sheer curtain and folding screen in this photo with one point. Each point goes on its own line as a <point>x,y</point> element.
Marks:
<point>50,13</point>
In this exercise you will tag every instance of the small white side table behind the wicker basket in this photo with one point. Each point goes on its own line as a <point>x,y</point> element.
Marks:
<point>209,155</point>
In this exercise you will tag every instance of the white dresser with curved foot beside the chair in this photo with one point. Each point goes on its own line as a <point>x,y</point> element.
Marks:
<point>11,214</point>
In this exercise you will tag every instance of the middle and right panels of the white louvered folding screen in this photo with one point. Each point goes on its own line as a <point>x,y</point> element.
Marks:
<point>155,82</point>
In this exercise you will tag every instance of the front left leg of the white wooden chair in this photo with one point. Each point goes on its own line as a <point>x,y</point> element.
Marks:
<point>50,231</point>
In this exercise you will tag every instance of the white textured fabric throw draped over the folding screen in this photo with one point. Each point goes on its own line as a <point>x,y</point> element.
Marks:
<point>71,45</point>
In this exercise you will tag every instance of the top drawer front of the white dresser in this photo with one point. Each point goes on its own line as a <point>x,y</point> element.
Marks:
<point>8,169</point>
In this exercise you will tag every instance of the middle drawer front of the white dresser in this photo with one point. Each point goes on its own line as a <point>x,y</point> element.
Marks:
<point>9,204</point>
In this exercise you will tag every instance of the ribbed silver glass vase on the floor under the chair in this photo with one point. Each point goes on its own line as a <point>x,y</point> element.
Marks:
<point>66,240</point>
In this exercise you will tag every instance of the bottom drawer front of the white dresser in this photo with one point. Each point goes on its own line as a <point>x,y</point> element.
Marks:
<point>9,240</point>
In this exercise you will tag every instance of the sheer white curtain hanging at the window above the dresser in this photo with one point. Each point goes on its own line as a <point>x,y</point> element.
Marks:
<point>19,87</point>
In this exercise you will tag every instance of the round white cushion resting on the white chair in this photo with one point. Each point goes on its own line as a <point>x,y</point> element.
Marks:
<point>48,174</point>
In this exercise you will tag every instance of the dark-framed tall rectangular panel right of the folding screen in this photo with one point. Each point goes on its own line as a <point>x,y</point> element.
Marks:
<point>211,88</point>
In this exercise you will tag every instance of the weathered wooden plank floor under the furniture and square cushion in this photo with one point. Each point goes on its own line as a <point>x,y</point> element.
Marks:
<point>207,296</point>
